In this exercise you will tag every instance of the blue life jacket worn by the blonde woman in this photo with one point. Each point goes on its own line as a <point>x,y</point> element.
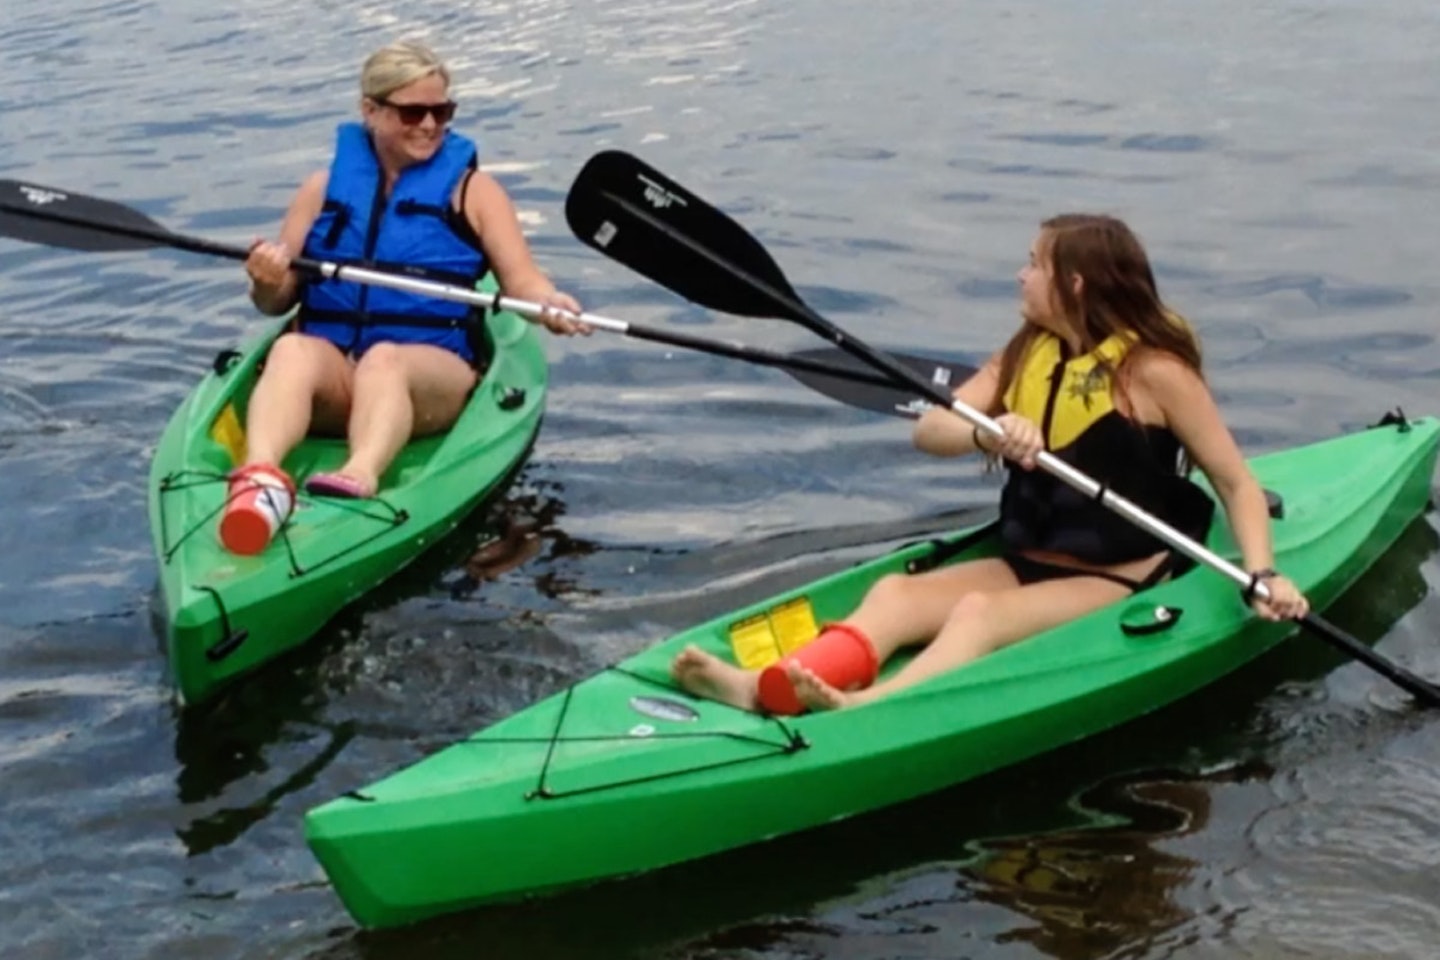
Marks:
<point>417,231</point>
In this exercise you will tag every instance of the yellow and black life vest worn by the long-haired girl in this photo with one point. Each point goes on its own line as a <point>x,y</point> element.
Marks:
<point>1072,399</point>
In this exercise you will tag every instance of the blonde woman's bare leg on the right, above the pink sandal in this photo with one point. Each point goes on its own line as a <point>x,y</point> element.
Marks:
<point>401,391</point>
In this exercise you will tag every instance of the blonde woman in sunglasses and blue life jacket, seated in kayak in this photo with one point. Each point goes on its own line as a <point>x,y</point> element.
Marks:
<point>404,192</point>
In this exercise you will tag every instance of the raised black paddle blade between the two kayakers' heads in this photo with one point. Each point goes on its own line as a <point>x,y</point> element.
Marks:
<point>639,217</point>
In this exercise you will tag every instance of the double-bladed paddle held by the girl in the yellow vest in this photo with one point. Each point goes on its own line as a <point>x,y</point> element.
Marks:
<point>646,221</point>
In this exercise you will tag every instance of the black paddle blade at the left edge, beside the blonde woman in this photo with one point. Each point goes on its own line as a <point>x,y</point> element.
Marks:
<point>61,218</point>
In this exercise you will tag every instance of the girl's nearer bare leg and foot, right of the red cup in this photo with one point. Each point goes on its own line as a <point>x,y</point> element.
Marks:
<point>978,625</point>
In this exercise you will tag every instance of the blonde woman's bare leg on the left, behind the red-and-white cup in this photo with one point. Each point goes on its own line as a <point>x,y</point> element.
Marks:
<point>306,379</point>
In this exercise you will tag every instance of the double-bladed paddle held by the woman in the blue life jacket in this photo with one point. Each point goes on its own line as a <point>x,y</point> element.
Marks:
<point>68,219</point>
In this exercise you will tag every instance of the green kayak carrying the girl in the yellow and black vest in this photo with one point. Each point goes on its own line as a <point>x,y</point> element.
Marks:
<point>624,774</point>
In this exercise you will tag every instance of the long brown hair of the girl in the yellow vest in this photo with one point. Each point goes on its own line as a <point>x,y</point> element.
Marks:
<point>1118,294</point>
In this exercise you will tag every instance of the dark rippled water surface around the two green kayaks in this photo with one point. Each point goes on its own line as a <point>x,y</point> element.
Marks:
<point>1281,162</point>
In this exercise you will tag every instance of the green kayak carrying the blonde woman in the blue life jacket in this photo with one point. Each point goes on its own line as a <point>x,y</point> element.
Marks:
<point>225,614</point>
